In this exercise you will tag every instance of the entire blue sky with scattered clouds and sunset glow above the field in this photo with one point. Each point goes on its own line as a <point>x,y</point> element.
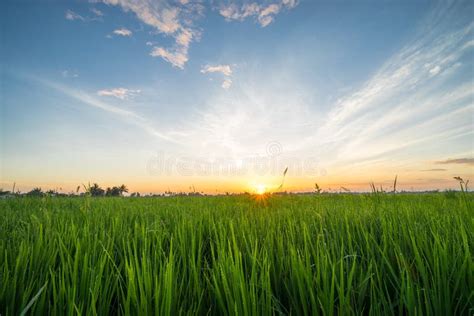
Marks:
<point>222,96</point>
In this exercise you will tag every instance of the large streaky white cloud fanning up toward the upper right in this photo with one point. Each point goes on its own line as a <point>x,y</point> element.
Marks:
<point>407,96</point>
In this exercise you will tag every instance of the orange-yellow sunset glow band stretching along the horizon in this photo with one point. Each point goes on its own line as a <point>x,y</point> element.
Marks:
<point>353,179</point>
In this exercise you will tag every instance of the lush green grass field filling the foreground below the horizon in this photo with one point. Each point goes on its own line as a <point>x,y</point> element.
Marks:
<point>402,254</point>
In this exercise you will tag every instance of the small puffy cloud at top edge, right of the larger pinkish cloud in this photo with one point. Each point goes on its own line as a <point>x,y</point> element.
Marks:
<point>264,14</point>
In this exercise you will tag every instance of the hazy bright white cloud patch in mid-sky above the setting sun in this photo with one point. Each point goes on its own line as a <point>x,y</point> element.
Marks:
<point>254,106</point>
